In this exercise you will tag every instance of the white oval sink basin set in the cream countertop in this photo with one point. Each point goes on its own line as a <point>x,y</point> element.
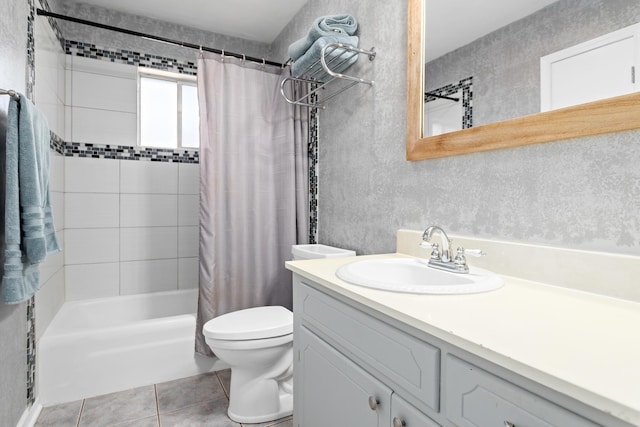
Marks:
<point>415,276</point>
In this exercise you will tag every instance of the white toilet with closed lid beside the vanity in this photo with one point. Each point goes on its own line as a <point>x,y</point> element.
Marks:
<point>257,343</point>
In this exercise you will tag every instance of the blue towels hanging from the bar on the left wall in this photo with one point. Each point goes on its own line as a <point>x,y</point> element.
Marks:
<point>29,230</point>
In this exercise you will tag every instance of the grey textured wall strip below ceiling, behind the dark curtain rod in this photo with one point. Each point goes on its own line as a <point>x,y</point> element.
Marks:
<point>106,38</point>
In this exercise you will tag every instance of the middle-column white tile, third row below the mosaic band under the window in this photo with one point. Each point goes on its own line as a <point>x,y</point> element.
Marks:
<point>148,243</point>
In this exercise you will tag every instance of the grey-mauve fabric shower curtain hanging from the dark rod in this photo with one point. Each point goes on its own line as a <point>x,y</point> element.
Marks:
<point>253,187</point>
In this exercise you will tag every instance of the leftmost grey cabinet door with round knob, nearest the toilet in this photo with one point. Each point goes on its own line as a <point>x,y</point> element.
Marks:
<point>333,391</point>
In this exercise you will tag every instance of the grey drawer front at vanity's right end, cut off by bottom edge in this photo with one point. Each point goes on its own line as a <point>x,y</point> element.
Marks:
<point>474,397</point>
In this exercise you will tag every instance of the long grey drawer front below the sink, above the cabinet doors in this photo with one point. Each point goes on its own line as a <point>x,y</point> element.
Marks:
<point>407,363</point>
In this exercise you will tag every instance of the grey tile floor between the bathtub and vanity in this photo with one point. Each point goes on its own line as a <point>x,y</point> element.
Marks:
<point>195,401</point>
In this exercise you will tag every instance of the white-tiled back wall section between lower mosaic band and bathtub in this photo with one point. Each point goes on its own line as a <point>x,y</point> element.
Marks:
<point>130,227</point>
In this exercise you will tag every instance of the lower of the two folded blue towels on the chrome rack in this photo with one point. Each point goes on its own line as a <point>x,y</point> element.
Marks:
<point>337,59</point>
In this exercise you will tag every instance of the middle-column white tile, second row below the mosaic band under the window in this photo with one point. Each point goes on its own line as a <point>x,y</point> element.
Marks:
<point>148,210</point>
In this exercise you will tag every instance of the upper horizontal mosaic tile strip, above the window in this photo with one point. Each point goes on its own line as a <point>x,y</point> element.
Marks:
<point>88,50</point>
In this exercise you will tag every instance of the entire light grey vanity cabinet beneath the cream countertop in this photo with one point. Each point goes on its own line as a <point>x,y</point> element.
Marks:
<point>352,368</point>
